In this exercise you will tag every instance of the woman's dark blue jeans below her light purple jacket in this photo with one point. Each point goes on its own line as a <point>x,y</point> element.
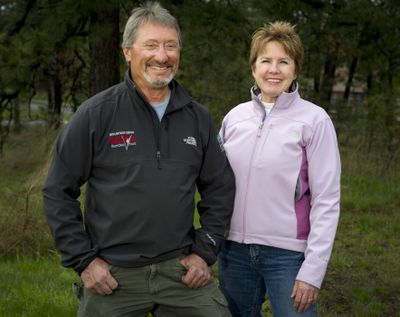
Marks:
<point>248,271</point>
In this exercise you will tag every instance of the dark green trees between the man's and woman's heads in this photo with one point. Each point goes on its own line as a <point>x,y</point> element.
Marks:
<point>214,66</point>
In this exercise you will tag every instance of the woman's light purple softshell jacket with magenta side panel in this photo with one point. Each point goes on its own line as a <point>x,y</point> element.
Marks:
<point>287,170</point>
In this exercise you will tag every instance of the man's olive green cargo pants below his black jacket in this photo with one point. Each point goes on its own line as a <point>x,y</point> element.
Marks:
<point>156,289</point>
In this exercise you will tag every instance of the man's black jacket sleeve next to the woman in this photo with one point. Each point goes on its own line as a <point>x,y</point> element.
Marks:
<point>216,186</point>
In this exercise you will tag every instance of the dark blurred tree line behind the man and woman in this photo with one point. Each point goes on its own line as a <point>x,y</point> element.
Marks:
<point>66,50</point>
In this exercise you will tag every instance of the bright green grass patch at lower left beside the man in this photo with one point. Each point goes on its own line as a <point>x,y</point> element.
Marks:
<point>36,286</point>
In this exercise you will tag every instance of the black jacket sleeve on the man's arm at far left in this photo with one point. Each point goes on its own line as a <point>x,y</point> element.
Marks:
<point>69,170</point>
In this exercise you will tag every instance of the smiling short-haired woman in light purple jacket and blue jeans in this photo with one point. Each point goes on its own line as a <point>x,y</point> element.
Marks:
<point>284,154</point>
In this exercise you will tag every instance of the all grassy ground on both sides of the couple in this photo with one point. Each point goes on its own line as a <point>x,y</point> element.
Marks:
<point>362,279</point>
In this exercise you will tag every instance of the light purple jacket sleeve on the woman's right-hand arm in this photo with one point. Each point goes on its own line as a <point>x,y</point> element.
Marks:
<point>324,180</point>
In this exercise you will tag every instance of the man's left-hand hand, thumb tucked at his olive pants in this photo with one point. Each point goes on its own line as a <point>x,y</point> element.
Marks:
<point>98,279</point>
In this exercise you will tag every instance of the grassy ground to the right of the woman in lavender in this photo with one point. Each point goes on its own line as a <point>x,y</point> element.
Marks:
<point>364,272</point>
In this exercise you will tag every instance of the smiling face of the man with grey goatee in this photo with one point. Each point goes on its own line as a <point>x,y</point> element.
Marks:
<point>153,57</point>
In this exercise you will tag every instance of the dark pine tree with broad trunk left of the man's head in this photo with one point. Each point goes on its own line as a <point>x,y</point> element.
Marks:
<point>49,37</point>
